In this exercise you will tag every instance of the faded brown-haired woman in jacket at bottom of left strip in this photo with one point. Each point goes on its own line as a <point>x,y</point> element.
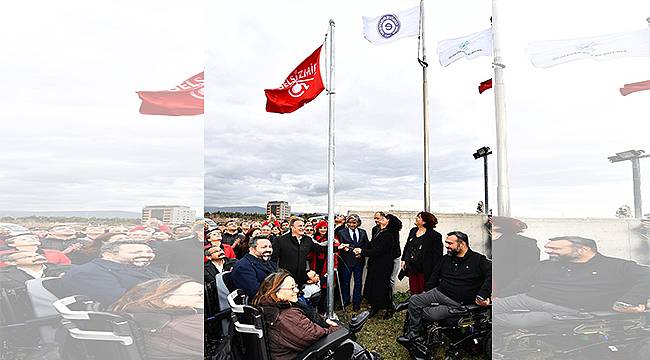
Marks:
<point>170,311</point>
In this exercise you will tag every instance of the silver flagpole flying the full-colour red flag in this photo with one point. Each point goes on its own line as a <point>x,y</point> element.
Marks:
<point>330,180</point>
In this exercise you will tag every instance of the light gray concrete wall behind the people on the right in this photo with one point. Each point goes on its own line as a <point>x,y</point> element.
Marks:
<point>615,237</point>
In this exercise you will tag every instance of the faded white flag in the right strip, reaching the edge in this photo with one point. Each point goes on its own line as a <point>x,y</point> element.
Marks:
<point>545,54</point>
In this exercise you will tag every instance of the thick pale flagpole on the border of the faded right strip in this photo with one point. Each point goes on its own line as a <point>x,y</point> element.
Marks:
<point>503,184</point>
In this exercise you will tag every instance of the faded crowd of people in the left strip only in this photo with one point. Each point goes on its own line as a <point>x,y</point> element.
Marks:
<point>136,270</point>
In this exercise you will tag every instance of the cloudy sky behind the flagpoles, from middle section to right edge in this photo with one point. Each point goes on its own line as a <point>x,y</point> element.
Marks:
<point>563,122</point>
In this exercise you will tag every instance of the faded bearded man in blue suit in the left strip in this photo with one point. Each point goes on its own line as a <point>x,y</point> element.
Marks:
<point>123,264</point>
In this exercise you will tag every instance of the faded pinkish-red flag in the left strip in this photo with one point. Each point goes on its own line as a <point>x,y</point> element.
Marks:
<point>184,99</point>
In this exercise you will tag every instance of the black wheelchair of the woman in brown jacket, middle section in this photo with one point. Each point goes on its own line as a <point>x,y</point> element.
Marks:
<point>251,340</point>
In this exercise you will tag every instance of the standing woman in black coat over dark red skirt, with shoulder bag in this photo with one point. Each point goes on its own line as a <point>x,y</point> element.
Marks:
<point>423,250</point>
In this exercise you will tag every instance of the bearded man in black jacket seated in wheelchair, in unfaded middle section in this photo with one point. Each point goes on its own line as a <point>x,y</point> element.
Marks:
<point>462,277</point>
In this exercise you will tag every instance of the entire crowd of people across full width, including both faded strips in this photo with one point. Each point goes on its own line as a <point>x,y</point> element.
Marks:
<point>281,266</point>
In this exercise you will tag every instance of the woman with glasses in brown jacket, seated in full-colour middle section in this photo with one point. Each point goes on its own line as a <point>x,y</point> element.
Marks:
<point>292,326</point>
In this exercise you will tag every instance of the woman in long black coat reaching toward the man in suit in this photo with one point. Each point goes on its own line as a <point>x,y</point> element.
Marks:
<point>377,288</point>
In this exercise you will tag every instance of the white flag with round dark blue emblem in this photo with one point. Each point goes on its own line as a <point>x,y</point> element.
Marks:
<point>390,27</point>
